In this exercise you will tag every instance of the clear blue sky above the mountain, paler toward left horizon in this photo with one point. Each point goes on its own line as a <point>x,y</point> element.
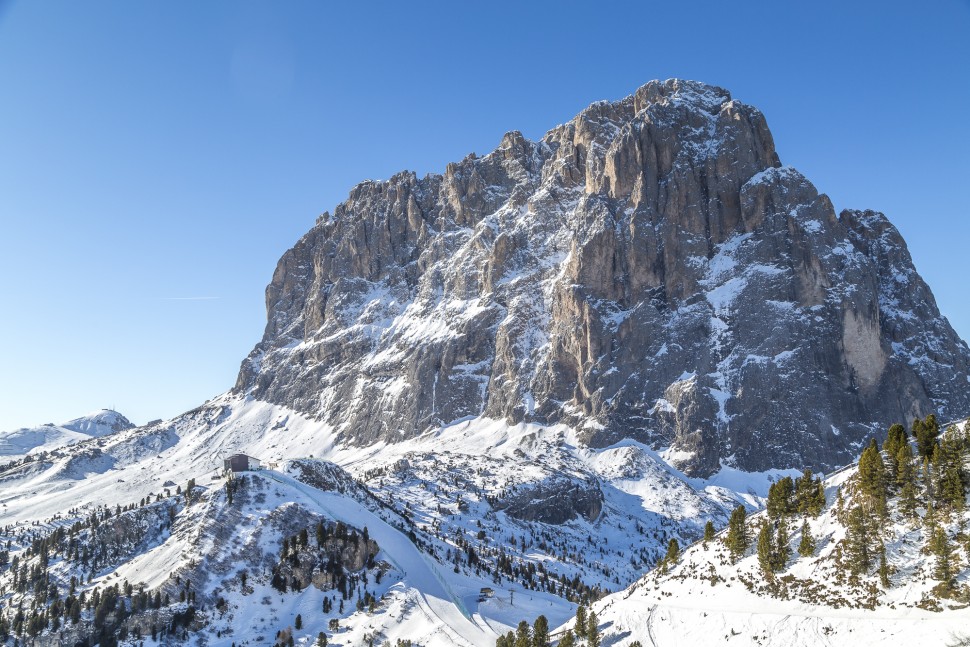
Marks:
<point>156,158</point>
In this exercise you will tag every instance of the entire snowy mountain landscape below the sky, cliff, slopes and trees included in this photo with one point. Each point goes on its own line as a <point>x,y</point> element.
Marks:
<point>634,383</point>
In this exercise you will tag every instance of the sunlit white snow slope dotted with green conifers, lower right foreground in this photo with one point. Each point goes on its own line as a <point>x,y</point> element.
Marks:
<point>708,596</point>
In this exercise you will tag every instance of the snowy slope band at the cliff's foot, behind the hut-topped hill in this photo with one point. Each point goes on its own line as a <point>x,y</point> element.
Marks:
<point>476,472</point>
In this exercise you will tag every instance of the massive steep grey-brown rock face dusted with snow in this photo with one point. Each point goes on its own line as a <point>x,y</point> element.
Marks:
<point>647,270</point>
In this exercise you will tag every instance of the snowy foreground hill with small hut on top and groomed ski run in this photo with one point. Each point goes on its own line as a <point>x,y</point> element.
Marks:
<point>219,556</point>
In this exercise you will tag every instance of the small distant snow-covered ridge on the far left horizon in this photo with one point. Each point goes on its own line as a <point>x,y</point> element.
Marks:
<point>30,440</point>
